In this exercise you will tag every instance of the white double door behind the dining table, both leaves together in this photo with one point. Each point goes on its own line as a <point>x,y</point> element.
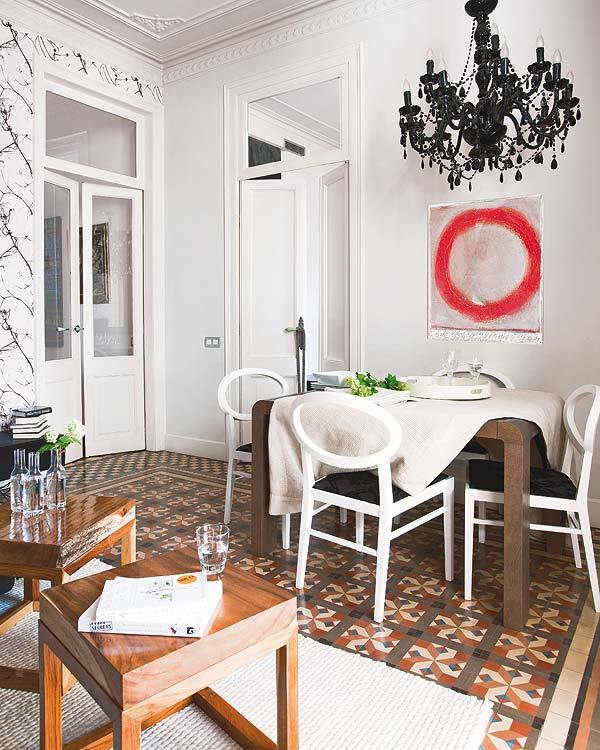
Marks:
<point>294,261</point>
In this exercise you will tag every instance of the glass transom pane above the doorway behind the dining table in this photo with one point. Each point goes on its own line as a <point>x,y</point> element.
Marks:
<point>296,123</point>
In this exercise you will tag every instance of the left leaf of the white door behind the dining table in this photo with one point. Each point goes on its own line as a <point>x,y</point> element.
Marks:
<point>272,278</point>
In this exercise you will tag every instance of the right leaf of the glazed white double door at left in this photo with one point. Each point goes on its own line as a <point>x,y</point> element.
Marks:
<point>113,355</point>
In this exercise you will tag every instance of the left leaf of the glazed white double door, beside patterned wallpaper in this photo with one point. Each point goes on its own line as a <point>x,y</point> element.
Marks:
<point>62,381</point>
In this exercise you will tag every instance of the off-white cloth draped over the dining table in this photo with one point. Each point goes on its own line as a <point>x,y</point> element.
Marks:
<point>433,434</point>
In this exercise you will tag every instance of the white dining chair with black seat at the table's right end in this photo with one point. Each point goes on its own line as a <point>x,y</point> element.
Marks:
<point>566,490</point>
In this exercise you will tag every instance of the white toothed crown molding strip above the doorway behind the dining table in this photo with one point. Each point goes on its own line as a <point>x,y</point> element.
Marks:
<point>319,23</point>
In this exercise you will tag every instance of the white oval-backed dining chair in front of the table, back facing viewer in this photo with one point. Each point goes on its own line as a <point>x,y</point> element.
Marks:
<point>358,489</point>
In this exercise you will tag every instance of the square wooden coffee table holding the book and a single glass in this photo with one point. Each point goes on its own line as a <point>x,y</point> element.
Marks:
<point>139,680</point>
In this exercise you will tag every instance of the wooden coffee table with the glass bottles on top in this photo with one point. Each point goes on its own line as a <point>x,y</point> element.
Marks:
<point>51,547</point>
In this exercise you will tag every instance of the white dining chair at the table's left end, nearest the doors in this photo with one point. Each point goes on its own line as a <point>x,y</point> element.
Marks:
<point>243,453</point>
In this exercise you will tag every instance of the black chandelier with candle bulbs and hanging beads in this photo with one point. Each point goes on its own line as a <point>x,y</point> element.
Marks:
<point>514,120</point>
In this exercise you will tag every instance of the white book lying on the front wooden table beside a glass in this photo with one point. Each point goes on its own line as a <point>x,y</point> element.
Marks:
<point>177,605</point>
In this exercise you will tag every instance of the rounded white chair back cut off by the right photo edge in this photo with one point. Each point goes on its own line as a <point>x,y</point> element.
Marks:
<point>583,444</point>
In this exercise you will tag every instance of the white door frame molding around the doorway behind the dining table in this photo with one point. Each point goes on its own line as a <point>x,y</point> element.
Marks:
<point>343,63</point>
